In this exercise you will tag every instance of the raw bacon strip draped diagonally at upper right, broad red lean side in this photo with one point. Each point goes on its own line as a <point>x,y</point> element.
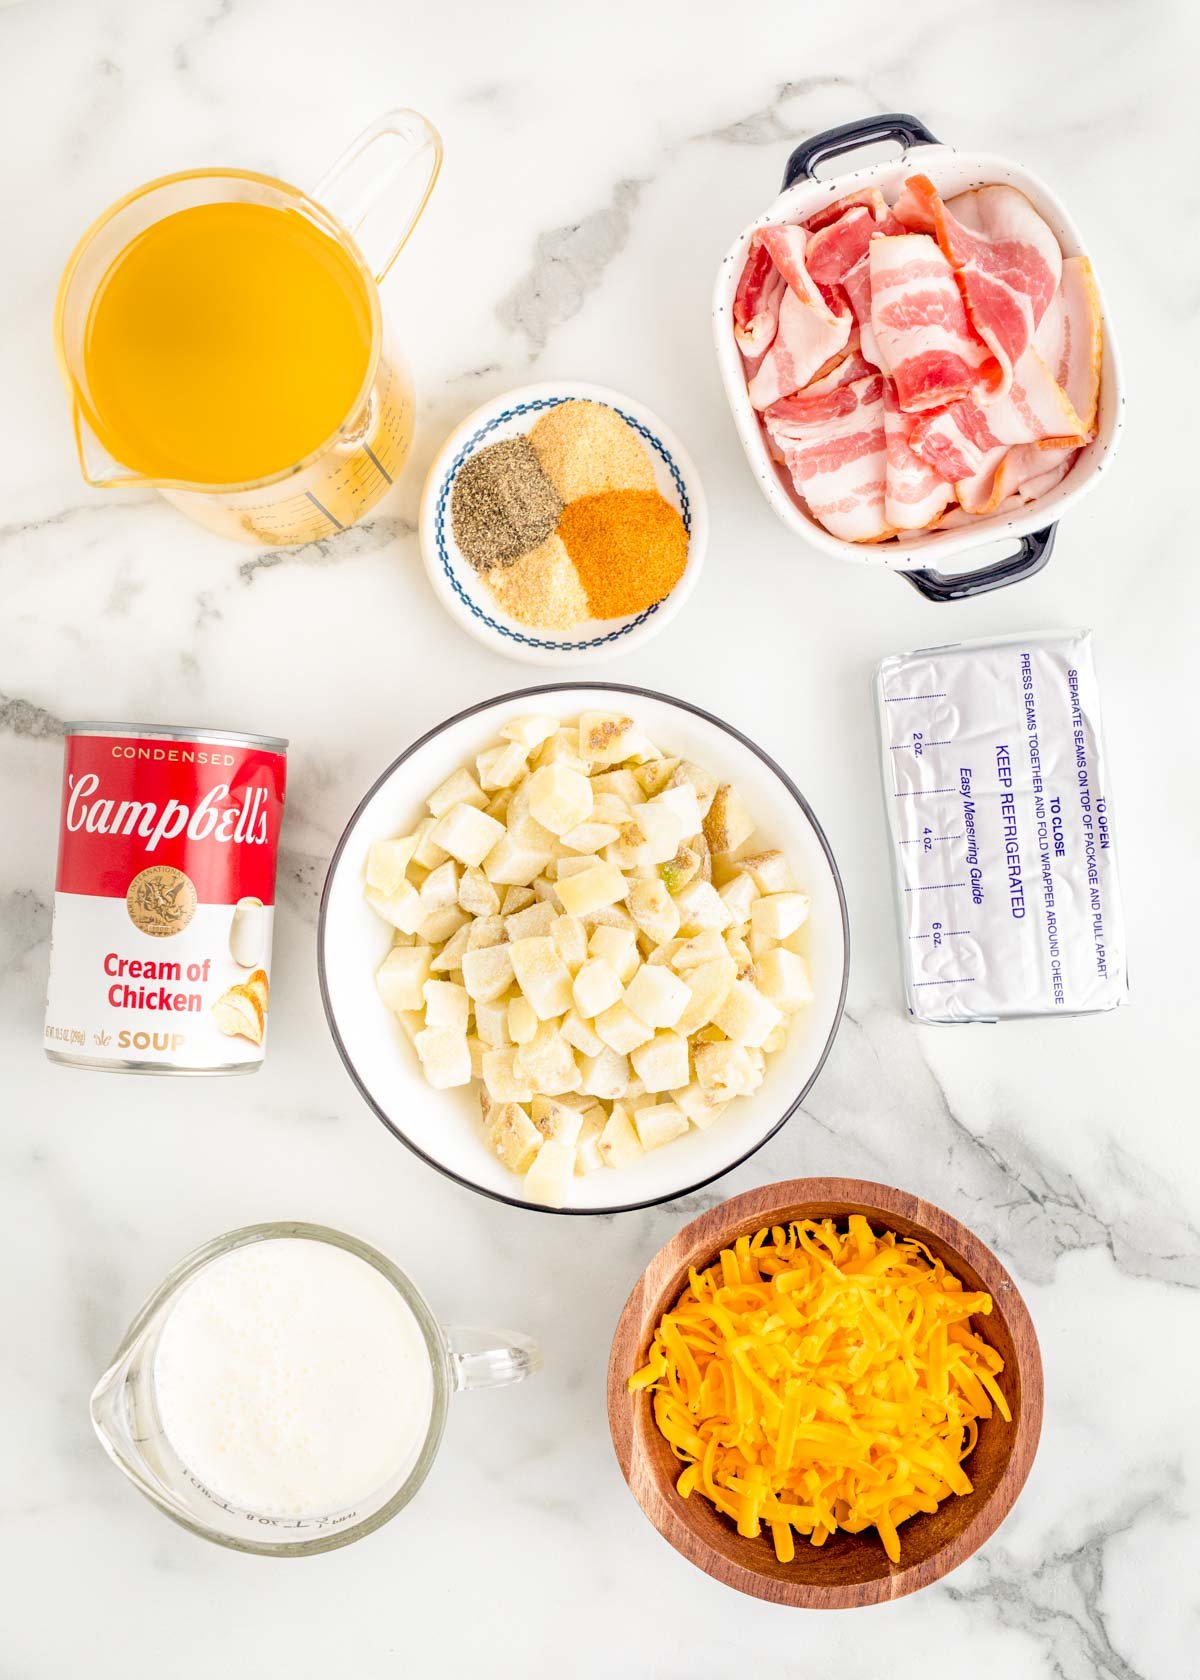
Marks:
<point>1006,258</point>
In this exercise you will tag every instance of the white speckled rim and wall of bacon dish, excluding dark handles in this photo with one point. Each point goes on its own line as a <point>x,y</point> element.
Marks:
<point>952,172</point>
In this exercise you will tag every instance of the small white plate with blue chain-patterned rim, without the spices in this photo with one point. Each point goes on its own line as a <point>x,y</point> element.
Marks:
<point>463,591</point>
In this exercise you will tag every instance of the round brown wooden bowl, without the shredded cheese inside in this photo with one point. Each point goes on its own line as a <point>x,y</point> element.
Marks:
<point>851,1568</point>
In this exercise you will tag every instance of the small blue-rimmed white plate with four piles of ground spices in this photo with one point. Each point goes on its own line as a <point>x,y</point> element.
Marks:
<point>562,523</point>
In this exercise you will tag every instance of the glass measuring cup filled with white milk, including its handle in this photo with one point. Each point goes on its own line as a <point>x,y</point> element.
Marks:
<point>285,1390</point>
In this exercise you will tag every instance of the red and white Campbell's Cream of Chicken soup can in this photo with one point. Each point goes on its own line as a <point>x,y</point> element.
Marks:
<point>164,901</point>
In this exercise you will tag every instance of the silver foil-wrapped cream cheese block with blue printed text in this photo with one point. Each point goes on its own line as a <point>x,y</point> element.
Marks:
<point>1001,821</point>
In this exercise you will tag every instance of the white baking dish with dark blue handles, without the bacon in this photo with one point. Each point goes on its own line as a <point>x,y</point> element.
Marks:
<point>952,172</point>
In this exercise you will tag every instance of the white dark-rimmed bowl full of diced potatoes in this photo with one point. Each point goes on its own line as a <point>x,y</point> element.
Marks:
<point>584,948</point>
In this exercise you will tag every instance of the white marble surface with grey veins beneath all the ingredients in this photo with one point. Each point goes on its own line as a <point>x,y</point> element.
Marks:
<point>599,160</point>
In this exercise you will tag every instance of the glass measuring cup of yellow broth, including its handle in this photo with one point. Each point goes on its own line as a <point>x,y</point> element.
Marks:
<point>223,340</point>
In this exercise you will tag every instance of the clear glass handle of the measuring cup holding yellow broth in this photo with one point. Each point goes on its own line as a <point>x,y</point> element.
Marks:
<point>381,186</point>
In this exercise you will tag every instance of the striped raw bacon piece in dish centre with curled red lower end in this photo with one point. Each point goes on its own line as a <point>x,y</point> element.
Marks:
<point>920,325</point>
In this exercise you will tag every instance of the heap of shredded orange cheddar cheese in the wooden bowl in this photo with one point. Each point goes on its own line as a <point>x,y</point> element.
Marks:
<point>823,1378</point>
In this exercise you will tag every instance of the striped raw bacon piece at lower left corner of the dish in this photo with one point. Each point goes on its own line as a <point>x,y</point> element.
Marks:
<point>834,448</point>
